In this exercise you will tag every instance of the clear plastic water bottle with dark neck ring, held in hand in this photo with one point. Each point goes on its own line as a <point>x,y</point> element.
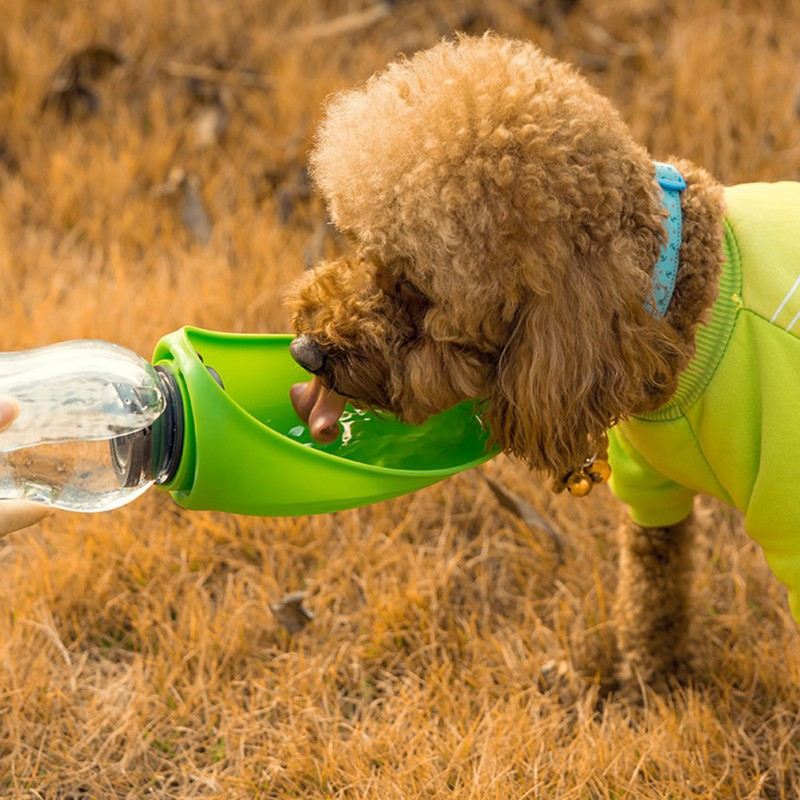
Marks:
<point>97,426</point>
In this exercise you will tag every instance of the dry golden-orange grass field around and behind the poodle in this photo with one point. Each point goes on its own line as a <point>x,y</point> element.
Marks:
<point>453,653</point>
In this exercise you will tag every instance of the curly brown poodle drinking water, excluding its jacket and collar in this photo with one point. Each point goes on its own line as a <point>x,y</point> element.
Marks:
<point>505,229</point>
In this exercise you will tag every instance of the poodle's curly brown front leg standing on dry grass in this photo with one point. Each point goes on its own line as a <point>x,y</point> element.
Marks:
<point>652,605</point>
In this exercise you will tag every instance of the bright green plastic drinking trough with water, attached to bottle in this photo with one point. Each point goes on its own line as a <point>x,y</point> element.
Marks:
<point>245,450</point>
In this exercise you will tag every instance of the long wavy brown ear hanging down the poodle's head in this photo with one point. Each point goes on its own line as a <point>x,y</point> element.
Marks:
<point>577,360</point>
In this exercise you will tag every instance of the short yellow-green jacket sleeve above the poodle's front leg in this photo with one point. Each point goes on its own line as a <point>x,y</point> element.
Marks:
<point>654,500</point>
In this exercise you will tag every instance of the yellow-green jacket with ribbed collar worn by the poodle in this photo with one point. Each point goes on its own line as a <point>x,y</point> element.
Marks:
<point>732,429</point>
